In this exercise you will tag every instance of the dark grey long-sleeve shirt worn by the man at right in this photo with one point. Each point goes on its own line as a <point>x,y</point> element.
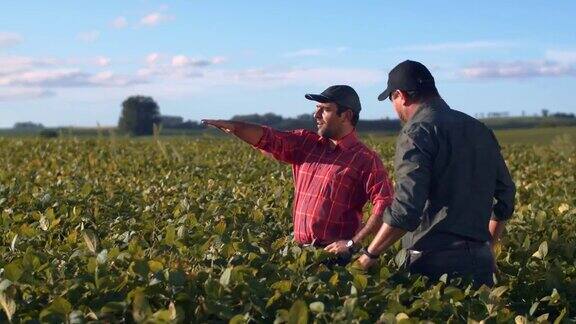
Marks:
<point>450,179</point>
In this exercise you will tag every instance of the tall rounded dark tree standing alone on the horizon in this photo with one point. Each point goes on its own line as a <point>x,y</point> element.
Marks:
<point>139,114</point>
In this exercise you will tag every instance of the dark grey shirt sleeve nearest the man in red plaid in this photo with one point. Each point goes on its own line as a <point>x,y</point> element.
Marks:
<point>415,152</point>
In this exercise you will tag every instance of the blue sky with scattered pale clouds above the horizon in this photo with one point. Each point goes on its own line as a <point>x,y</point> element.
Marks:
<point>65,63</point>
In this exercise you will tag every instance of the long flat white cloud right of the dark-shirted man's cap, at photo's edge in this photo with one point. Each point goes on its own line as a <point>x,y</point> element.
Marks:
<point>517,70</point>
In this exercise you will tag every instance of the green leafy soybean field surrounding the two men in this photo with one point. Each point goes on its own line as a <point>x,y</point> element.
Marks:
<point>181,230</point>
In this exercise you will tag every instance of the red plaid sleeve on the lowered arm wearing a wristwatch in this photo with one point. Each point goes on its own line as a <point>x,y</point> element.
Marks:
<point>379,188</point>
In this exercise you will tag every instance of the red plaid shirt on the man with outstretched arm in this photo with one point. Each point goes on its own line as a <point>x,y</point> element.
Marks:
<point>331,184</point>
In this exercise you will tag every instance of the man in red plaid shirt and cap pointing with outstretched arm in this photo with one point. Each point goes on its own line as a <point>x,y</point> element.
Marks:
<point>334,173</point>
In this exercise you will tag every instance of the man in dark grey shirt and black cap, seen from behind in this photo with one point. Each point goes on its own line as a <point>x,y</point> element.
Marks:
<point>453,191</point>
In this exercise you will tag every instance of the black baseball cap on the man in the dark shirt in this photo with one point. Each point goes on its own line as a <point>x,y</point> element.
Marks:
<point>408,76</point>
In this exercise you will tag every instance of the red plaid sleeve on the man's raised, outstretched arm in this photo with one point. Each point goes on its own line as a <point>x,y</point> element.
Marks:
<point>284,146</point>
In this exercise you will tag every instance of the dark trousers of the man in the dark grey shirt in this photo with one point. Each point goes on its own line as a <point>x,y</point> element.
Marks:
<point>471,260</point>
